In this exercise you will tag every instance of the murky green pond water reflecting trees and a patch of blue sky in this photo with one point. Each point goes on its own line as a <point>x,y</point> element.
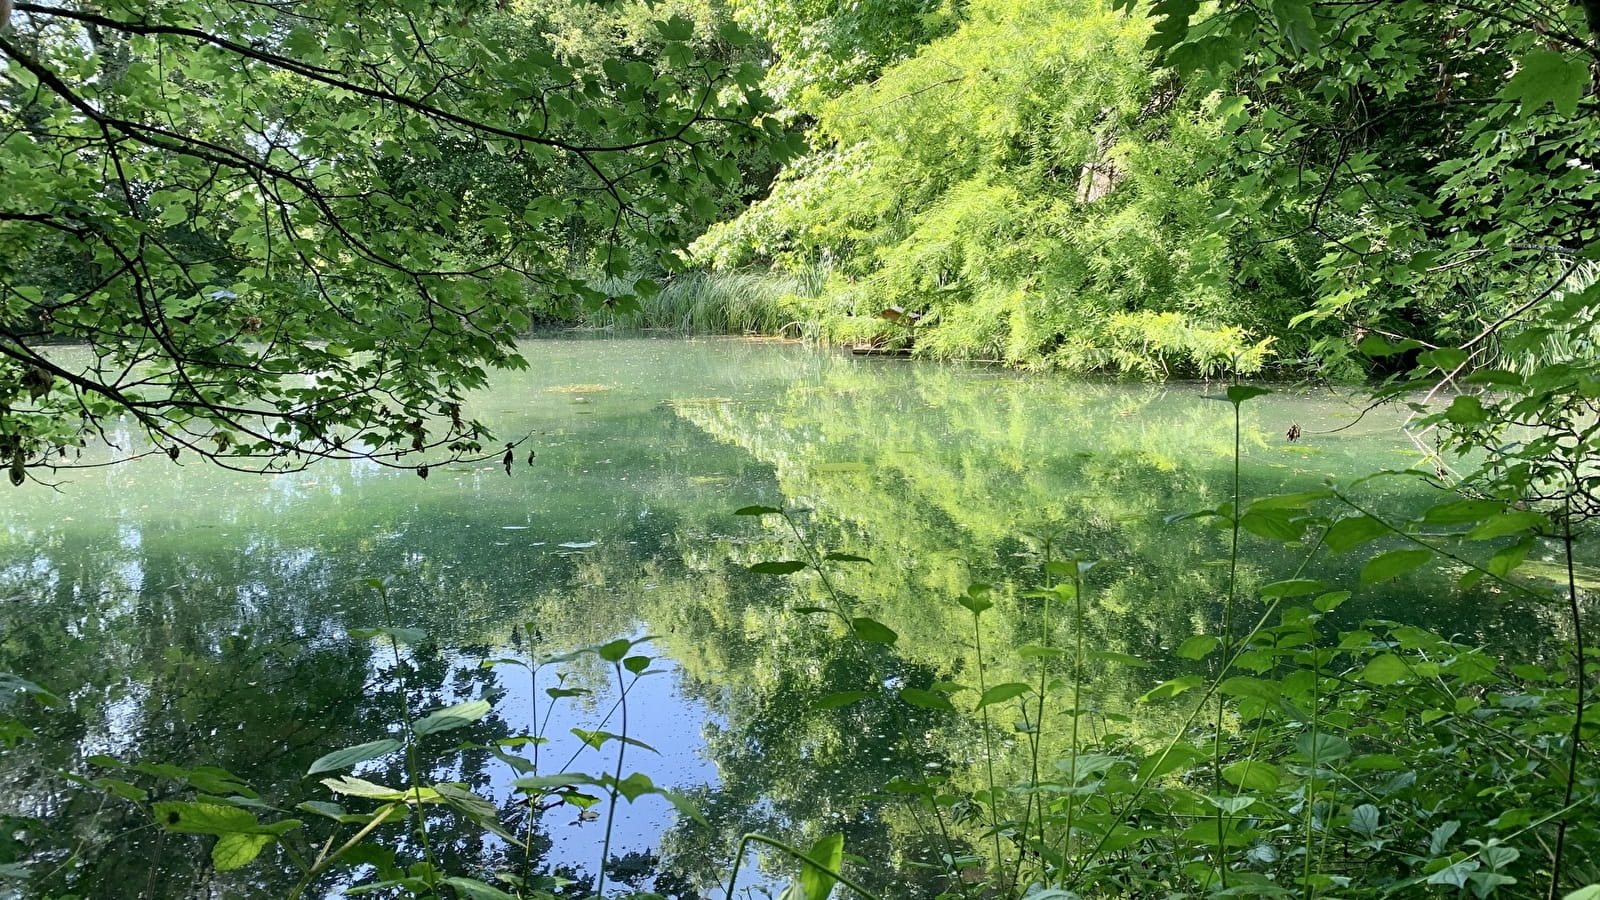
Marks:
<point>194,616</point>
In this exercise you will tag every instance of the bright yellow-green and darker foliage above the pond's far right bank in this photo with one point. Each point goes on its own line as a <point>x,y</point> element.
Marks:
<point>1290,182</point>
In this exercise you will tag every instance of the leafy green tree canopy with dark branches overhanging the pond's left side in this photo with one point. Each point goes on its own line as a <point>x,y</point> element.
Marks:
<point>308,228</point>
